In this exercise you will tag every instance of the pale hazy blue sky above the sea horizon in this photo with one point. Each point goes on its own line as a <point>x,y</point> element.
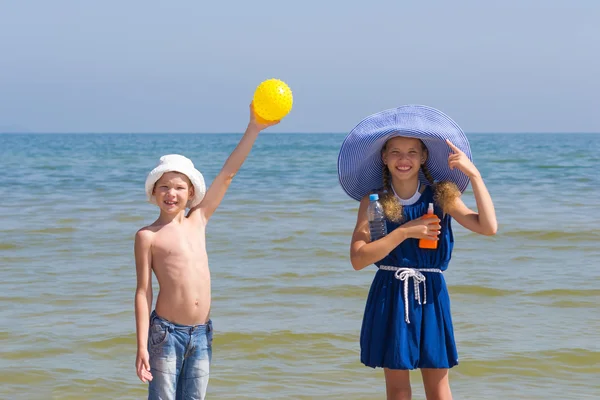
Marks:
<point>192,66</point>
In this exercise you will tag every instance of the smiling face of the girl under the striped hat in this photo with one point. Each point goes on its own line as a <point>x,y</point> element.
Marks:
<point>403,157</point>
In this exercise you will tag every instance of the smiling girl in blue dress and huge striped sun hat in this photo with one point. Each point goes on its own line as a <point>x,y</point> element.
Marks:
<point>411,156</point>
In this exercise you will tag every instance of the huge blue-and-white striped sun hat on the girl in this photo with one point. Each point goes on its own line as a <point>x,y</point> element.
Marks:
<point>360,166</point>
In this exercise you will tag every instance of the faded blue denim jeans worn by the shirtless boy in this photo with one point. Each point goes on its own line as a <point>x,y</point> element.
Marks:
<point>180,357</point>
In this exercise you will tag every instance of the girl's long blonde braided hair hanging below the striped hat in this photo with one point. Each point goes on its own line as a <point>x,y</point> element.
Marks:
<point>444,193</point>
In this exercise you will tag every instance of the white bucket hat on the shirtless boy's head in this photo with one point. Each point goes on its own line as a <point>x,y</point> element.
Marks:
<point>183,165</point>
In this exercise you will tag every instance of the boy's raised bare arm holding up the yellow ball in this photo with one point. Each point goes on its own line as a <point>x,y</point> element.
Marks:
<point>215,193</point>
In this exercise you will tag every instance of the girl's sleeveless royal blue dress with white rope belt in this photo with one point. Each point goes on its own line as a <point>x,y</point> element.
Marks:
<point>427,341</point>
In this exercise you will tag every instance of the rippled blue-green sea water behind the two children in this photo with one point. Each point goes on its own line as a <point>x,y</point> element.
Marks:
<point>287,304</point>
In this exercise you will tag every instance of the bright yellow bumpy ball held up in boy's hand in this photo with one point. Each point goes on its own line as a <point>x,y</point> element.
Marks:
<point>272,100</point>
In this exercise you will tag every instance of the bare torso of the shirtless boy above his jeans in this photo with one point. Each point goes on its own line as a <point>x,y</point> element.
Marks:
<point>180,263</point>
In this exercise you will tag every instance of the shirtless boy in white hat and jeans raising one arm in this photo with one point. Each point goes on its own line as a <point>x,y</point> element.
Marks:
<point>174,342</point>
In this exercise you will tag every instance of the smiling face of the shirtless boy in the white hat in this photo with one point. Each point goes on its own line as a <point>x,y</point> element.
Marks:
<point>172,192</point>
